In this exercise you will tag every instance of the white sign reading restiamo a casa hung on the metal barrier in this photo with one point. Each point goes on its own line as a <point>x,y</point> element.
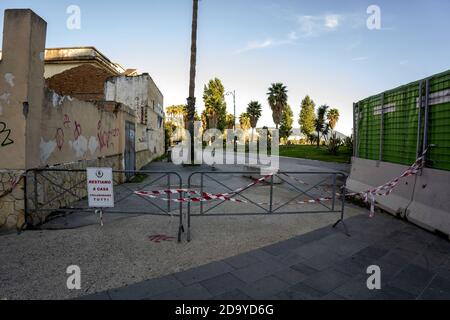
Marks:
<point>100,187</point>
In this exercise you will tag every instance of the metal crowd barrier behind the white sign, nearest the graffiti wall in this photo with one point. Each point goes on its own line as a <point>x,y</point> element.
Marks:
<point>63,191</point>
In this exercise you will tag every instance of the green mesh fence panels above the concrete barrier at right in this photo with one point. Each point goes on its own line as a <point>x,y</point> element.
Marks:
<point>400,124</point>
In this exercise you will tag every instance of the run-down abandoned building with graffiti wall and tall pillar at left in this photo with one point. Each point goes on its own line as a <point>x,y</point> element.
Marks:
<point>68,108</point>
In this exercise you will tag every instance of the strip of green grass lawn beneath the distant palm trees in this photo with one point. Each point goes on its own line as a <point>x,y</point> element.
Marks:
<point>314,153</point>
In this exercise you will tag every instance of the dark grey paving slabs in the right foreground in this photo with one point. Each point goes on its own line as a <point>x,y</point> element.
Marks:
<point>323,264</point>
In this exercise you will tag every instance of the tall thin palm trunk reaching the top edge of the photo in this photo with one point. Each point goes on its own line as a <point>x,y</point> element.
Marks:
<point>191,99</point>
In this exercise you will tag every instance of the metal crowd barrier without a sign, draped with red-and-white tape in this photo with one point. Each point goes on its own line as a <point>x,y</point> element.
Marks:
<point>313,187</point>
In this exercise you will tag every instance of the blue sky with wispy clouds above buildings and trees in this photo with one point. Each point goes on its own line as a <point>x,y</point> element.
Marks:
<point>321,48</point>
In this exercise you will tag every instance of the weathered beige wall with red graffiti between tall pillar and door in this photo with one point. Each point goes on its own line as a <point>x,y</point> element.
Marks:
<point>74,130</point>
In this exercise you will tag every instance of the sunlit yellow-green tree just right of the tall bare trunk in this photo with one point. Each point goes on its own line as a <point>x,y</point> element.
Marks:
<point>215,105</point>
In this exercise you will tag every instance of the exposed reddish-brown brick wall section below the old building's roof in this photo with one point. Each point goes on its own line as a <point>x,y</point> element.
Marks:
<point>85,82</point>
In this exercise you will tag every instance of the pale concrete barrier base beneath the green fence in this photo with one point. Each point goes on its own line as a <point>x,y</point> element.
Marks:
<point>423,199</point>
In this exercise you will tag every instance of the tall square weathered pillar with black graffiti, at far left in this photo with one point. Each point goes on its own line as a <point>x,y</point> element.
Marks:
<point>21,96</point>
